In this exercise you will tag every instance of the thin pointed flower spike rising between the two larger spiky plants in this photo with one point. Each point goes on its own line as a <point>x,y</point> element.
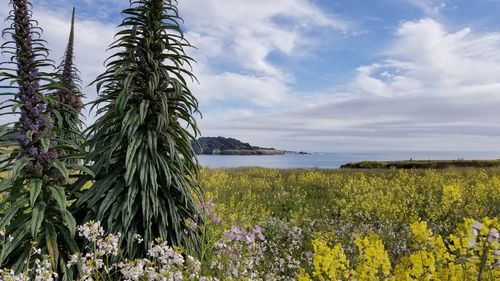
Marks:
<point>69,96</point>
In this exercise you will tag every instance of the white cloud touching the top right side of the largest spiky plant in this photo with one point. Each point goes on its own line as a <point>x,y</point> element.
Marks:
<point>243,34</point>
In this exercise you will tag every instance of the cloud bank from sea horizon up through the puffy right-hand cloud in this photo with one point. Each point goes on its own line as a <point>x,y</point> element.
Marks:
<point>435,90</point>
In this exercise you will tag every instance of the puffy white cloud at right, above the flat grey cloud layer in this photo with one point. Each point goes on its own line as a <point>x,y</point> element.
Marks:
<point>426,57</point>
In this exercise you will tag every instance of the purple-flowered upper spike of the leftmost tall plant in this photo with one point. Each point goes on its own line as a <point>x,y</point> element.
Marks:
<point>35,126</point>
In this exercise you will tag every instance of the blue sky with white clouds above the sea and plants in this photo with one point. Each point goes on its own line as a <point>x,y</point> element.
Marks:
<point>322,75</point>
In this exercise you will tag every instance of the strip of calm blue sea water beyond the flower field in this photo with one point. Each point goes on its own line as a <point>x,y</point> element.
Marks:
<point>333,160</point>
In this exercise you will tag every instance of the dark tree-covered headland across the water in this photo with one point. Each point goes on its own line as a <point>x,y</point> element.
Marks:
<point>230,146</point>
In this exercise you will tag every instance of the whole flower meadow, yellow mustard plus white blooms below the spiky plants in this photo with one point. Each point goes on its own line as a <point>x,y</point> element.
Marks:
<point>265,224</point>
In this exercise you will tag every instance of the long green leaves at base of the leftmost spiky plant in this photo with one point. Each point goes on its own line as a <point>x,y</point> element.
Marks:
<point>36,216</point>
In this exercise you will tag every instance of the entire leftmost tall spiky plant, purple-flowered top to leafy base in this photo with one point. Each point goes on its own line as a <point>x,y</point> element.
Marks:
<point>35,213</point>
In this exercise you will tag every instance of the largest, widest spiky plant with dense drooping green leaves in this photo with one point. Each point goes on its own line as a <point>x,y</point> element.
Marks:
<point>146,170</point>
